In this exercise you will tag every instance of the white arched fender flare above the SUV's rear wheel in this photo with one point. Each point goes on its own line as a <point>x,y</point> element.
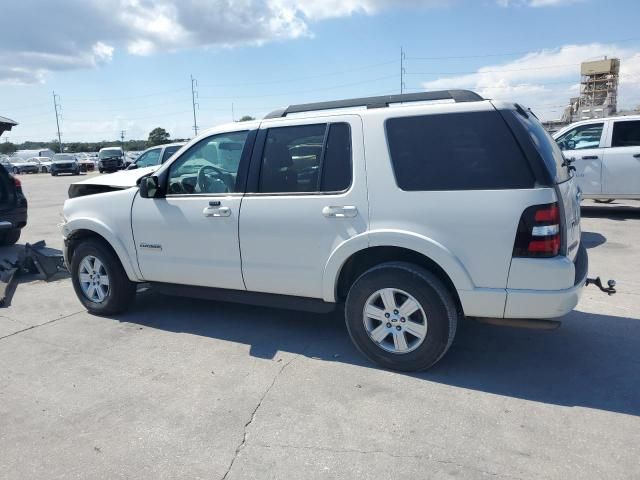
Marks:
<point>393,238</point>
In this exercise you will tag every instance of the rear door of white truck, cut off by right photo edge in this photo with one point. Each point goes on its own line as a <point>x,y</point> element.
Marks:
<point>621,174</point>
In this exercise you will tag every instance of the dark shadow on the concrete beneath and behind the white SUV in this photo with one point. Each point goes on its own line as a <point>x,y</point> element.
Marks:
<point>591,361</point>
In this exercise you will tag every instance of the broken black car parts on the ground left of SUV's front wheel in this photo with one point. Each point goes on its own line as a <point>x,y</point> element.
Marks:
<point>31,259</point>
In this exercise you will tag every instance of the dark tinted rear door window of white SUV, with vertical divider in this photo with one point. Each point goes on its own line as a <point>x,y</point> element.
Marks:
<point>306,158</point>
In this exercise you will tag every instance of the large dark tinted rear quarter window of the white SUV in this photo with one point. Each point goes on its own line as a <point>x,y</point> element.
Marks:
<point>456,151</point>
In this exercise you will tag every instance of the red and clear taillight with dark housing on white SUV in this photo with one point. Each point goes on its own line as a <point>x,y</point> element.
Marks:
<point>539,233</point>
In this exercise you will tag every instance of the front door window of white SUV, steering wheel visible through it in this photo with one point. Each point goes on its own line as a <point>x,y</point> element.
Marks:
<point>210,166</point>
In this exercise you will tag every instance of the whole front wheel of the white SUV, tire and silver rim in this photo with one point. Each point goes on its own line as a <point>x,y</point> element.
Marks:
<point>99,280</point>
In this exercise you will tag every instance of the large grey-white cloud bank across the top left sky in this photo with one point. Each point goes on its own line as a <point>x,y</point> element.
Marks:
<point>86,33</point>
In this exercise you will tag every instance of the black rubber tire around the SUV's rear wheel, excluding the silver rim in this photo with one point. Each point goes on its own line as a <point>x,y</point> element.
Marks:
<point>437,302</point>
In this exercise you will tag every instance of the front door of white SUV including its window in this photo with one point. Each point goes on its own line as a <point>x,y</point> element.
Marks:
<point>190,237</point>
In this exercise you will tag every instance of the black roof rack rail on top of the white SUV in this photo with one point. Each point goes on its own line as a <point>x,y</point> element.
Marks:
<point>379,102</point>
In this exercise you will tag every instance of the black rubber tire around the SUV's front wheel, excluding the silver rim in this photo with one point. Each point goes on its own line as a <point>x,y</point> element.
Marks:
<point>121,290</point>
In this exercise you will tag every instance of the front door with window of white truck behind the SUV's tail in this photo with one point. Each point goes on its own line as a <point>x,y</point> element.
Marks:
<point>583,145</point>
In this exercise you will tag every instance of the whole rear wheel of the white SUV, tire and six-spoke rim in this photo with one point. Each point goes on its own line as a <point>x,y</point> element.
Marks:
<point>401,316</point>
